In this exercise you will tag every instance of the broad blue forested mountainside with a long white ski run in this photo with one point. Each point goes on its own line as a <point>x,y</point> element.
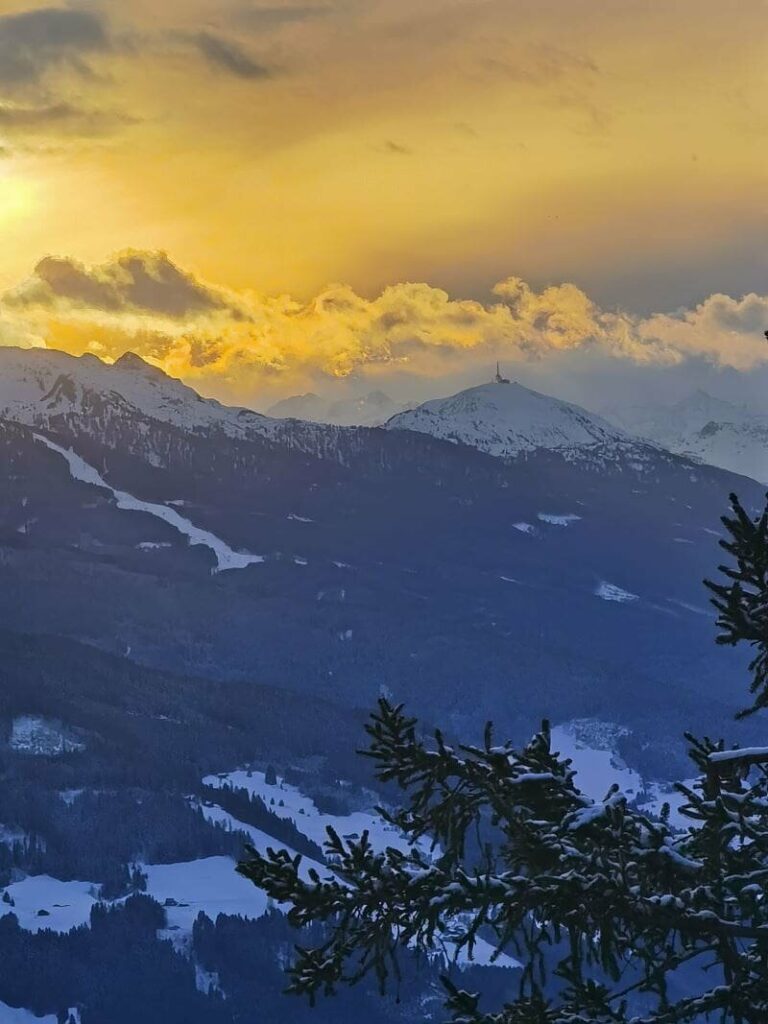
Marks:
<point>139,519</point>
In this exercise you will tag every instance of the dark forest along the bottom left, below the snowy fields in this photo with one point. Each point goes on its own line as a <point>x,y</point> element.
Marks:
<point>117,970</point>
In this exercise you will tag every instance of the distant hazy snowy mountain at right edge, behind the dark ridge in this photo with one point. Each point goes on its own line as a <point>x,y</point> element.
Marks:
<point>705,429</point>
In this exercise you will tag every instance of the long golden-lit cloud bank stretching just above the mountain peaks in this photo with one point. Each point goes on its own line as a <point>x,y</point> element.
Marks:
<point>240,346</point>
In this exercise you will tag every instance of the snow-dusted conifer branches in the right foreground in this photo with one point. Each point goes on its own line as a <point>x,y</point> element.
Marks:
<point>615,915</point>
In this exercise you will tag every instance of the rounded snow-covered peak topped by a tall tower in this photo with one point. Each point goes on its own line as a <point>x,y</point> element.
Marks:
<point>508,420</point>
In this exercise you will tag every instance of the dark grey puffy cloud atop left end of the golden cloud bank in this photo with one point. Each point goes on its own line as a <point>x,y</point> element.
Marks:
<point>135,281</point>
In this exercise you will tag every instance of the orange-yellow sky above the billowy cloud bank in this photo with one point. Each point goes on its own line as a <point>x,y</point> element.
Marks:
<point>275,148</point>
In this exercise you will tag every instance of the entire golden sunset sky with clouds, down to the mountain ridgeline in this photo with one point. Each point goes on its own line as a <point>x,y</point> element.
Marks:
<point>266,198</point>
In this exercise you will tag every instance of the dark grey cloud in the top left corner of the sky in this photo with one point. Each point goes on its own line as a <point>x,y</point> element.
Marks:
<point>34,41</point>
